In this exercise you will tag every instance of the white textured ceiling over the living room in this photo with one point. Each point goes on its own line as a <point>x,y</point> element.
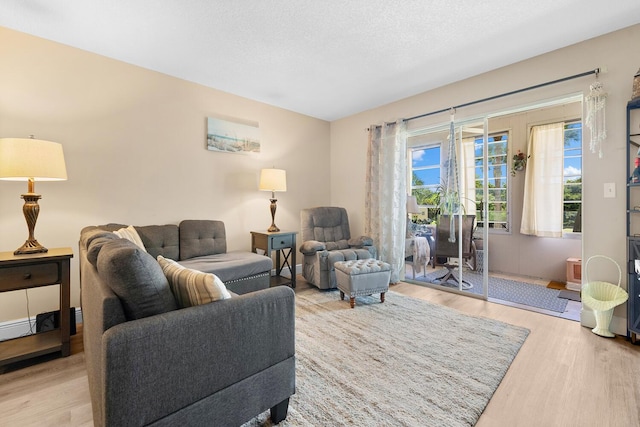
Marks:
<point>327,59</point>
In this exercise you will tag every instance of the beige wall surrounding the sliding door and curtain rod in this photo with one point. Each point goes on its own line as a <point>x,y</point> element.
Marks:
<point>603,218</point>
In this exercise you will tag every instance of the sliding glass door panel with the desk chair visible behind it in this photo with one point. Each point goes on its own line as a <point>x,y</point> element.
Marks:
<point>447,242</point>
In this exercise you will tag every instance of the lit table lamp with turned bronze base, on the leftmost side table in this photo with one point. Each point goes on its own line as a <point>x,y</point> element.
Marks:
<point>31,160</point>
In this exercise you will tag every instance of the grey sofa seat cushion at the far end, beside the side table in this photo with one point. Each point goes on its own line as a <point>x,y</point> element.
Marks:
<point>231,265</point>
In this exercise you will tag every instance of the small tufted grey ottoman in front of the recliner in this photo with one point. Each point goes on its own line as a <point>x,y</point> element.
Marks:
<point>362,277</point>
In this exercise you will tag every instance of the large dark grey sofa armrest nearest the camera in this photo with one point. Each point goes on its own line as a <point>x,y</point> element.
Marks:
<point>157,365</point>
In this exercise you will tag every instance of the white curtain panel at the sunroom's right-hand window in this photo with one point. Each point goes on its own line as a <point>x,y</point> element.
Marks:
<point>543,185</point>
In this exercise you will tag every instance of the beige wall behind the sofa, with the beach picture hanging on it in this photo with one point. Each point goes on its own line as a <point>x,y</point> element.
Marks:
<point>134,144</point>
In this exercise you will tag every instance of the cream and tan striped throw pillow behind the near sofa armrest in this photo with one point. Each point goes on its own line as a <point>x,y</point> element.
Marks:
<point>192,287</point>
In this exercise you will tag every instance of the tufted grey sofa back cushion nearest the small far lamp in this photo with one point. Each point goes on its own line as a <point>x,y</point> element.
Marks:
<point>201,237</point>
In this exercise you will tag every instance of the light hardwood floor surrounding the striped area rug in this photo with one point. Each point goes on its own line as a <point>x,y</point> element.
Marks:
<point>564,375</point>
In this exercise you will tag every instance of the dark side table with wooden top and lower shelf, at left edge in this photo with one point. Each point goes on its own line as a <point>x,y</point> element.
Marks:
<point>33,271</point>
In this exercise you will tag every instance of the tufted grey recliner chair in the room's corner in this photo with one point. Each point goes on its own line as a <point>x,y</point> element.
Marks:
<point>326,239</point>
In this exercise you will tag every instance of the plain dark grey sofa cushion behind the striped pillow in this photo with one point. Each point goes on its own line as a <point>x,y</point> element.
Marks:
<point>136,278</point>
